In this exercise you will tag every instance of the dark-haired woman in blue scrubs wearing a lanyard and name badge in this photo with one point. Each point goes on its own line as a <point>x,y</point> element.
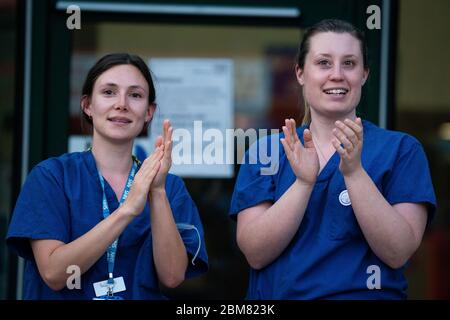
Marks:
<point>99,224</point>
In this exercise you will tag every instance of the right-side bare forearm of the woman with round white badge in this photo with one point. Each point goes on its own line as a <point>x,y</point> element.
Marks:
<point>388,234</point>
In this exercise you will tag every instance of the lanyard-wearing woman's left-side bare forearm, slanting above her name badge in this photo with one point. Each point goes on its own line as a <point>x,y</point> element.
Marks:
<point>86,250</point>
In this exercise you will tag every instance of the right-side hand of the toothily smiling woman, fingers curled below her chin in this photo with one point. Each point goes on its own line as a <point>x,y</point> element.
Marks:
<point>348,143</point>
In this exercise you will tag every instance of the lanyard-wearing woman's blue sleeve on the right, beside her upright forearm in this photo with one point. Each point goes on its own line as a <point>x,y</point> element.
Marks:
<point>189,225</point>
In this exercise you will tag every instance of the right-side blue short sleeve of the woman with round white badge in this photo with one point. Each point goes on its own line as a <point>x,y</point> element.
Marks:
<point>410,179</point>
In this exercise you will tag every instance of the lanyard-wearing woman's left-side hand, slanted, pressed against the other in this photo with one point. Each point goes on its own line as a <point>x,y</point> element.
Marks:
<point>138,195</point>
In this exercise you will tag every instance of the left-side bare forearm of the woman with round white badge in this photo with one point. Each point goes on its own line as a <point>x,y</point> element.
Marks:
<point>265,237</point>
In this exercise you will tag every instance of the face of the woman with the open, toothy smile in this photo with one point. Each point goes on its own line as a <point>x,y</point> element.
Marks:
<point>333,74</point>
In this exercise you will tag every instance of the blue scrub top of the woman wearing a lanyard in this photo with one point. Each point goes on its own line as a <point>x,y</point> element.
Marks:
<point>62,200</point>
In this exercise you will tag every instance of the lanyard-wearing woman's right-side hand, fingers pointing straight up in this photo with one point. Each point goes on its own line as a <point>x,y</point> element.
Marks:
<point>159,181</point>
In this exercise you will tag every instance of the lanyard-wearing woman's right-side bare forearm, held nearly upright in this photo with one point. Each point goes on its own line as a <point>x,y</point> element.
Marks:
<point>169,252</point>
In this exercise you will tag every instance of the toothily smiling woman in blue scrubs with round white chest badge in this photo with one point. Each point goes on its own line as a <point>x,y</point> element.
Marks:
<point>337,220</point>
